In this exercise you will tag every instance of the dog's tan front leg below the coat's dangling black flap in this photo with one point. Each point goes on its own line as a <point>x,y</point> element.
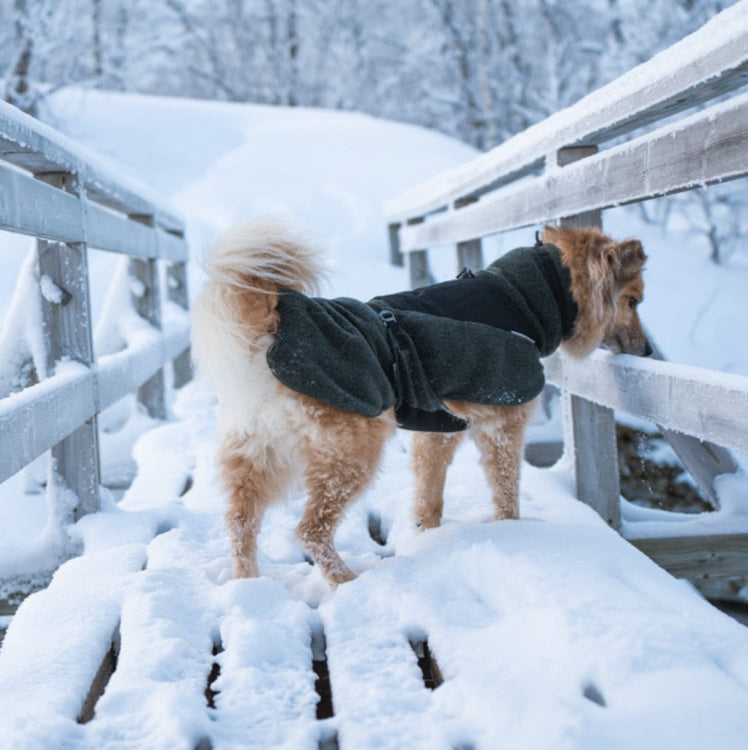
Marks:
<point>432,454</point>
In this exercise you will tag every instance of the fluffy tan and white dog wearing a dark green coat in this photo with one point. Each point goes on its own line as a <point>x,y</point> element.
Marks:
<point>272,435</point>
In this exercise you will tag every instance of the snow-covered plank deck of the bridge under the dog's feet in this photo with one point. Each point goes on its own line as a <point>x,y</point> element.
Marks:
<point>550,632</point>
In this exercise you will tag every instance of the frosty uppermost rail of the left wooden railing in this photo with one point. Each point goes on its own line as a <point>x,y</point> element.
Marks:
<point>37,148</point>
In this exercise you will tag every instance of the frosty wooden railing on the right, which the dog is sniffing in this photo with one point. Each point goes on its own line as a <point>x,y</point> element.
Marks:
<point>674,123</point>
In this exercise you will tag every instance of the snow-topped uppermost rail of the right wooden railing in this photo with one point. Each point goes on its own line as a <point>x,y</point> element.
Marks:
<point>702,66</point>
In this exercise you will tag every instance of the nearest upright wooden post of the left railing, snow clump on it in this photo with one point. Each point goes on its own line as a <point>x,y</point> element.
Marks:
<point>67,326</point>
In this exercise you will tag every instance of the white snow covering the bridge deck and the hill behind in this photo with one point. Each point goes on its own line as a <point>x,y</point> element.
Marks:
<point>550,632</point>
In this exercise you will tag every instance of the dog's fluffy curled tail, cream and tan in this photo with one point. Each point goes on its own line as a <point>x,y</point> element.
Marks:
<point>234,314</point>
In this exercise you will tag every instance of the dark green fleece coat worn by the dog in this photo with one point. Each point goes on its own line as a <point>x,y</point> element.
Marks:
<point>477,339</point>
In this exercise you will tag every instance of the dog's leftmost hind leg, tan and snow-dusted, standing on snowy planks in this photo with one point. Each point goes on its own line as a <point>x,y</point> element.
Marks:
<point>252,485</point>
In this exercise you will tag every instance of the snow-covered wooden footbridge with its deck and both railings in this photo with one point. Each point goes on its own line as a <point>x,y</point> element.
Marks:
<point>141,641</point>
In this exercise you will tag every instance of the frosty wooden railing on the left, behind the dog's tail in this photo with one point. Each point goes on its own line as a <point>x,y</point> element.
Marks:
<point>51,190</point>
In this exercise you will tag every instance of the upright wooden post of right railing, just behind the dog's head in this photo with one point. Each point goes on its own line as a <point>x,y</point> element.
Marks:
<point>589,429</point>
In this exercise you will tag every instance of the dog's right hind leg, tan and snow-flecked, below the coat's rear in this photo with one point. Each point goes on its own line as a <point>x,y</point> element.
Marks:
<point>339,468</point>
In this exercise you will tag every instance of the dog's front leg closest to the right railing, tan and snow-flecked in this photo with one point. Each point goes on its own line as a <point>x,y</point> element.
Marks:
<point>500,437</point>
